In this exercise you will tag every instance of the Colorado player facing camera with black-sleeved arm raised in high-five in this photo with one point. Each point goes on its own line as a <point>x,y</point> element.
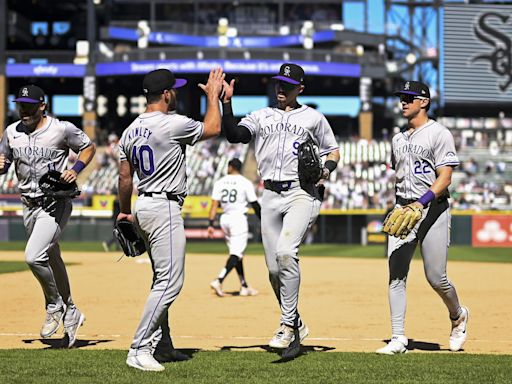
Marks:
<point>287,210</point>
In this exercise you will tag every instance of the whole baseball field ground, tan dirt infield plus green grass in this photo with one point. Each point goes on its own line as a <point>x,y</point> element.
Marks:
<point>343,300</point>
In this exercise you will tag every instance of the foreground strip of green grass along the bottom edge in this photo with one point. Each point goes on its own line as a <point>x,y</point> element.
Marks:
<point>108,366</point>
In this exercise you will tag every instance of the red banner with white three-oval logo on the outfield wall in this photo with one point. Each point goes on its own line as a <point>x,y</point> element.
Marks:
<point>492,231</point>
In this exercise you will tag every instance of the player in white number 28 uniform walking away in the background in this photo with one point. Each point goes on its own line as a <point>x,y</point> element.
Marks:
<point>233,192</point>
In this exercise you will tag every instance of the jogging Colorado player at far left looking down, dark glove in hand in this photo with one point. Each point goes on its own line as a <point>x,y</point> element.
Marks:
<point>36,144</point>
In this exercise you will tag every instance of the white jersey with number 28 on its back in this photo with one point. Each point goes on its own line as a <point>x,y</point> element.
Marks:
<point>234,192</point>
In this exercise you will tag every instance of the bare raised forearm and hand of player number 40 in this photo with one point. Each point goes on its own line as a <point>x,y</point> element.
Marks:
<point>212,88</point>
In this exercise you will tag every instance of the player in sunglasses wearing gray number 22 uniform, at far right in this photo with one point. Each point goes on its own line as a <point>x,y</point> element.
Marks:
<point>423,157</point>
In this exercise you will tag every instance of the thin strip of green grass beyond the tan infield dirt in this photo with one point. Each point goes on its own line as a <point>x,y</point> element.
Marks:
<point>456,252</point>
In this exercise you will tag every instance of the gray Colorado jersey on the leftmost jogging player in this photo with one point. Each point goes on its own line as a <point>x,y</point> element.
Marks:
<point>45,149</point>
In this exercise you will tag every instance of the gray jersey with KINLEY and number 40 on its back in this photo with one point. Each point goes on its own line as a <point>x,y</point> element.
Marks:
<point>154,144</point>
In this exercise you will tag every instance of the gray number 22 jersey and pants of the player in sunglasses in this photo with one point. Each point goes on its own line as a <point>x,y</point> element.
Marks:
<point>415,158</point>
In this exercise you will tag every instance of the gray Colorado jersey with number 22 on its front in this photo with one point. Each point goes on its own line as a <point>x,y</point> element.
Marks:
<point>416,156</point>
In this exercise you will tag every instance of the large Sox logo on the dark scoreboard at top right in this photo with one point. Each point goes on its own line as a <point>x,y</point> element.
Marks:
<point>501,57</point>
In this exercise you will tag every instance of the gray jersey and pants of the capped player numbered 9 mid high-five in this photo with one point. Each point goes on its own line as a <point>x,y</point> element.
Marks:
<point>286,216</point>
